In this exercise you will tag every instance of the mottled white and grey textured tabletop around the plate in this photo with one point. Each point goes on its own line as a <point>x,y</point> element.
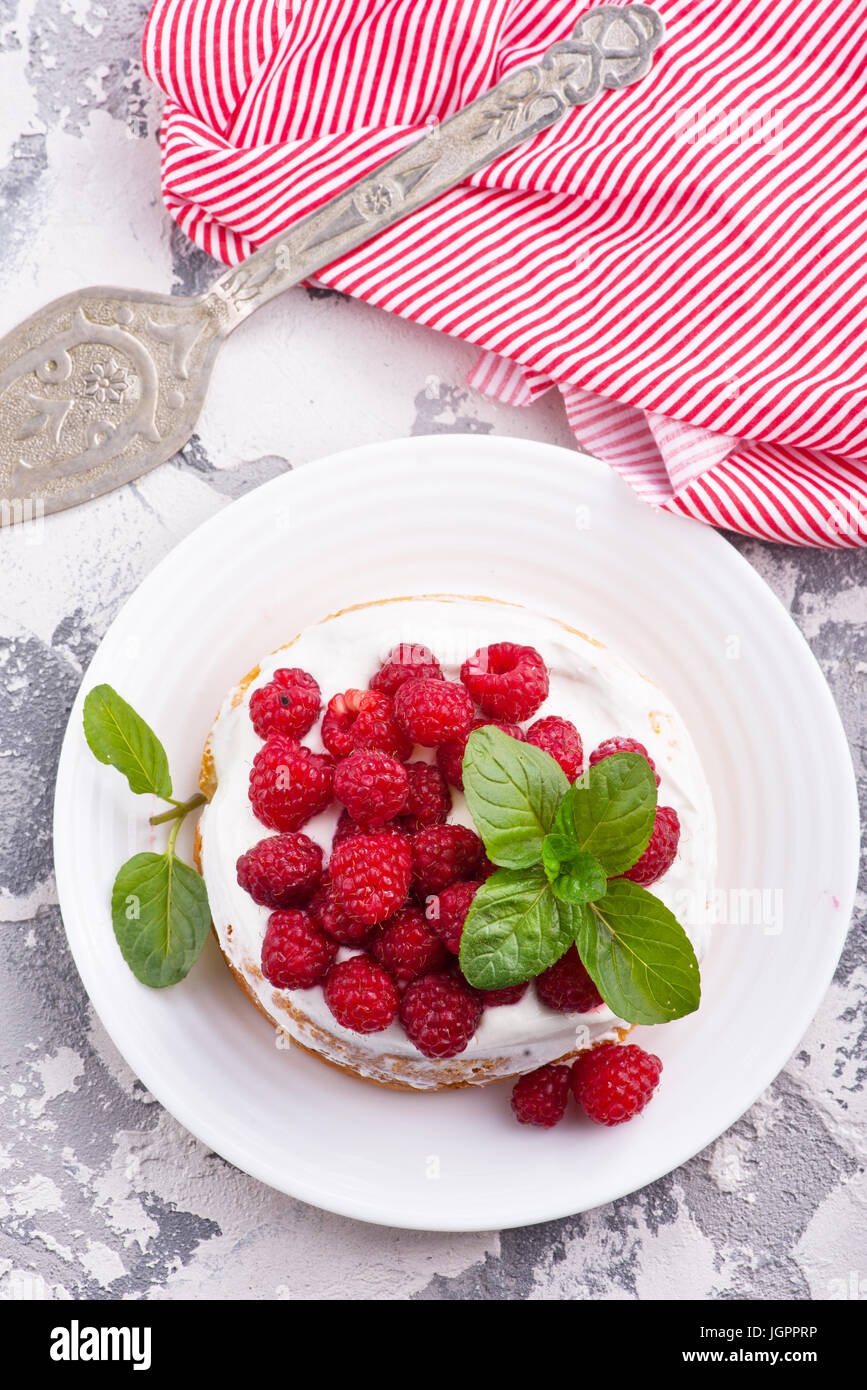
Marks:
<point>105,1196</point>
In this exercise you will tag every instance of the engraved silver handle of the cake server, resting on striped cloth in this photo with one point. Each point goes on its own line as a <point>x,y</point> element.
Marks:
<point>612,47</point>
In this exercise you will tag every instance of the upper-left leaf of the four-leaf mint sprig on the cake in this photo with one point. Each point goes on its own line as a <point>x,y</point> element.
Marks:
<point>513,792</point>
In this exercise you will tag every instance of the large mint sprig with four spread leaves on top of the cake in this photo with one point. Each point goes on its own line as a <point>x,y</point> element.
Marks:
<point>562,853</point>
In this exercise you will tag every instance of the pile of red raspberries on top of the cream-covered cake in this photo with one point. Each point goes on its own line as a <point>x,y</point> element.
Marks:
<point>401,879</point>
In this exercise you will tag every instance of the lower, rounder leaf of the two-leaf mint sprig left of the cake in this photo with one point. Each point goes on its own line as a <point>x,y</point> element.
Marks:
<point>162,918</point>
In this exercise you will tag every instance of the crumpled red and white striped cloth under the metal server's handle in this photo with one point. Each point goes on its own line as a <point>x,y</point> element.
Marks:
<point>684,261</point>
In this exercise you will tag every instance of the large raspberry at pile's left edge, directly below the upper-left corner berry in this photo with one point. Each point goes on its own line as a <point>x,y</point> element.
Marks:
<point>290,783</point>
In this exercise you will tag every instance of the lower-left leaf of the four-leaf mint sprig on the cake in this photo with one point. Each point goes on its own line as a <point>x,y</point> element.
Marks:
<point>513,929</point>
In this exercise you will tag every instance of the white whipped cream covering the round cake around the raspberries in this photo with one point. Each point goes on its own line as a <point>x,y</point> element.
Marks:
<point>590,685</point>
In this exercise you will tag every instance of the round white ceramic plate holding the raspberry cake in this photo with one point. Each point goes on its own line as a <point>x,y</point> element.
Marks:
<point>561,533</point>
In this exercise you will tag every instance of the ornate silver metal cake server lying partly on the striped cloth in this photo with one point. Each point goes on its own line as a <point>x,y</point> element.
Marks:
<point>105,384</point>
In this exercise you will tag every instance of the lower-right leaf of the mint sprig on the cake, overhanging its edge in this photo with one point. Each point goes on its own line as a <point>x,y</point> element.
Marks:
<point>638,956</point>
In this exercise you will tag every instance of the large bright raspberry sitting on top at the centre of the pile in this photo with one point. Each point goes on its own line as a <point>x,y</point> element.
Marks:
<point>372,875</point>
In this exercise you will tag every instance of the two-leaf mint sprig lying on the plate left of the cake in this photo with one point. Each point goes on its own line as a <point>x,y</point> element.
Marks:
<point>159,904</point>
